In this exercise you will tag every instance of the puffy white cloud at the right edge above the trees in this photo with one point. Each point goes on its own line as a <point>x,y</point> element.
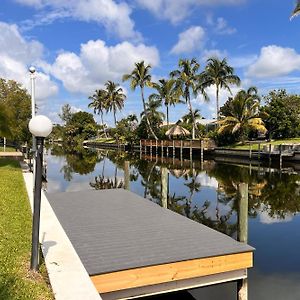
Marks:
<point>274,61</point>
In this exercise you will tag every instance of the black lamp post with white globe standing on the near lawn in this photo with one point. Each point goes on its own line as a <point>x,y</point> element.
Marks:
<point>40,126</point>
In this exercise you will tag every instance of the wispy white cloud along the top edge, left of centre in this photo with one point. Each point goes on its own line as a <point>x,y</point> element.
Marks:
<point>113,15</point>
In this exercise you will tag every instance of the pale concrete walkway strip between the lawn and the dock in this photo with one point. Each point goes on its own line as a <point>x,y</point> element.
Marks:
<point>68,277</point>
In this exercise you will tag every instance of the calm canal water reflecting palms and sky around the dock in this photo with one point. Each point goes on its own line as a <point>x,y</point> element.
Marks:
<point>205,193</point>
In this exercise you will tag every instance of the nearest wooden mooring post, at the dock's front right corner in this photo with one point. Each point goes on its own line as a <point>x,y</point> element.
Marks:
<point>242,284</point>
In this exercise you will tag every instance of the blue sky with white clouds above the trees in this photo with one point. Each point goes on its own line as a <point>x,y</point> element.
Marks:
<point>77,45</point>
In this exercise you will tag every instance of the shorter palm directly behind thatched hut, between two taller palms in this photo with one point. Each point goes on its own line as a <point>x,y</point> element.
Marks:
<point>167,93</point>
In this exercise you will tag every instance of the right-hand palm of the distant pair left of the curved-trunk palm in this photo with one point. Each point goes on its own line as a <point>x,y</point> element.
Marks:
<point>114,97</point>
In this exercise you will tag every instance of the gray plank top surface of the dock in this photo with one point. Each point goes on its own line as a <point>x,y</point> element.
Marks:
<point>114,230</point>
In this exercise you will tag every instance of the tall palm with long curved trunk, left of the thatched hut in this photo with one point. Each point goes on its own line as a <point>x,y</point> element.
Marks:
<point>140,76</point>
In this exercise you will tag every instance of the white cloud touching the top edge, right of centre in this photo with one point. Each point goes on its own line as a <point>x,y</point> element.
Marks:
<point>177,10</point>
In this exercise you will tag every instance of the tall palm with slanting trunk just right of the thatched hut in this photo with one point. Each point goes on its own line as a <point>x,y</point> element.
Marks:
<point>186,80</point>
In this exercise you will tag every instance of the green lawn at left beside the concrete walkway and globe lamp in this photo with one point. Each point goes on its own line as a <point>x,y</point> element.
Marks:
<point>17,281</point>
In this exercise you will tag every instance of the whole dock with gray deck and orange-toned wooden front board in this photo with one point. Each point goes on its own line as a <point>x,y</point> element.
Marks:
<point>131,247</point>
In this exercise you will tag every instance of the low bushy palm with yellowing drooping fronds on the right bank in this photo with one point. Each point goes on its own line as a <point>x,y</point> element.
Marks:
<point>242,113</point>
